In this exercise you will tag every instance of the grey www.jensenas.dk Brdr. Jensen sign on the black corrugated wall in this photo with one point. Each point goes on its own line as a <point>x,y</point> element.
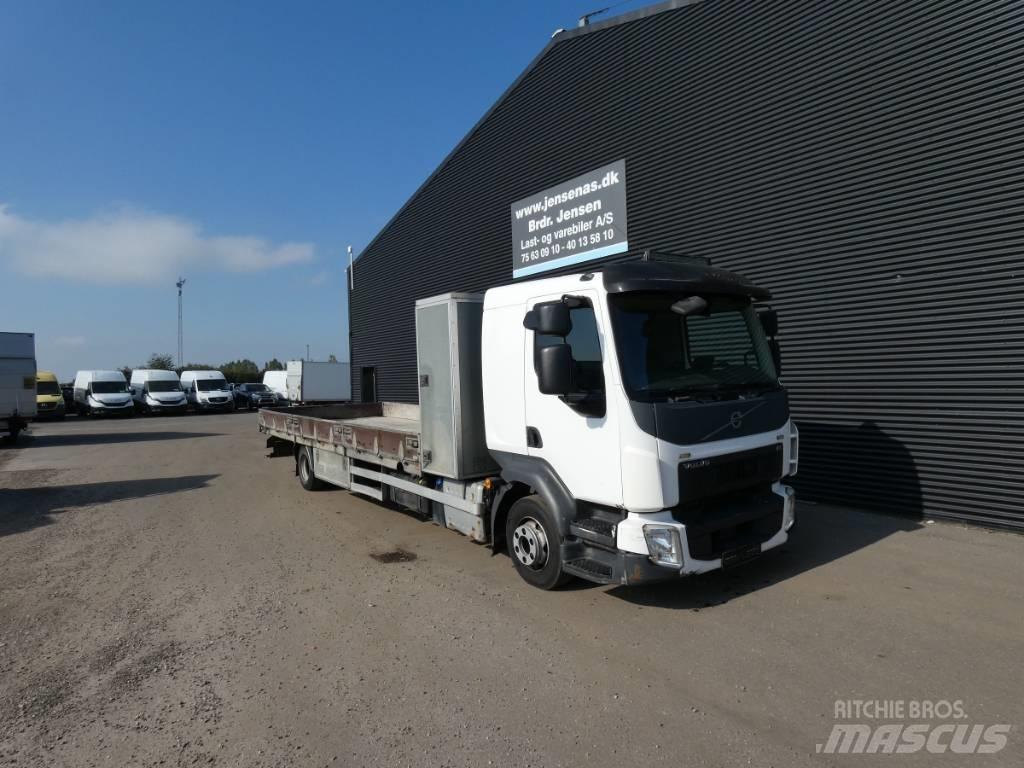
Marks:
<point>578,221</point>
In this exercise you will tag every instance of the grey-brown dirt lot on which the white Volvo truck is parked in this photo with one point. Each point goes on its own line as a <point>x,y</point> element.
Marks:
<point>172,596</point>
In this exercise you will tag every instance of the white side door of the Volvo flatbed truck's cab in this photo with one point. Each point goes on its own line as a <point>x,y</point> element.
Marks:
<point>581,445</point>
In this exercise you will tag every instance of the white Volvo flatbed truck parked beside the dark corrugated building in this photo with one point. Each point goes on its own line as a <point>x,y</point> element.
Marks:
<point>625,425</point>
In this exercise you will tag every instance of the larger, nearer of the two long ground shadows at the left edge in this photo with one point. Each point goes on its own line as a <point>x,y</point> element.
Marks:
<point>25,509</point>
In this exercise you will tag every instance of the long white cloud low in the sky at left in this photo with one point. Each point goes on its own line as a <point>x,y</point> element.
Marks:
<point>133,246</point>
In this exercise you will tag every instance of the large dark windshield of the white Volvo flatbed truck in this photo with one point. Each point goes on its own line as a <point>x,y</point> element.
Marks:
<point>667,356</point>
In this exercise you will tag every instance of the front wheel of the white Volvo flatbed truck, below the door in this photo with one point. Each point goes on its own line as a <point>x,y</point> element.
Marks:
<point>534,544</point>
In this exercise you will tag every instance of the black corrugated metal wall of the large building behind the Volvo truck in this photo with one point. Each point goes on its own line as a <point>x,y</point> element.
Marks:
<point>863,160</point>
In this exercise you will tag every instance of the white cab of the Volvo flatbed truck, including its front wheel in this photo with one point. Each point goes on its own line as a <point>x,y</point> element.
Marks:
<point>638,420</point>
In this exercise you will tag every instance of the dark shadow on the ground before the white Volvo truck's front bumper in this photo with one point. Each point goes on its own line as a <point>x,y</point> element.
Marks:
<point>823,535</point>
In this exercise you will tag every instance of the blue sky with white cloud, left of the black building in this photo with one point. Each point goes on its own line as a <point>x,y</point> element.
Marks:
<point>241,145</point>
